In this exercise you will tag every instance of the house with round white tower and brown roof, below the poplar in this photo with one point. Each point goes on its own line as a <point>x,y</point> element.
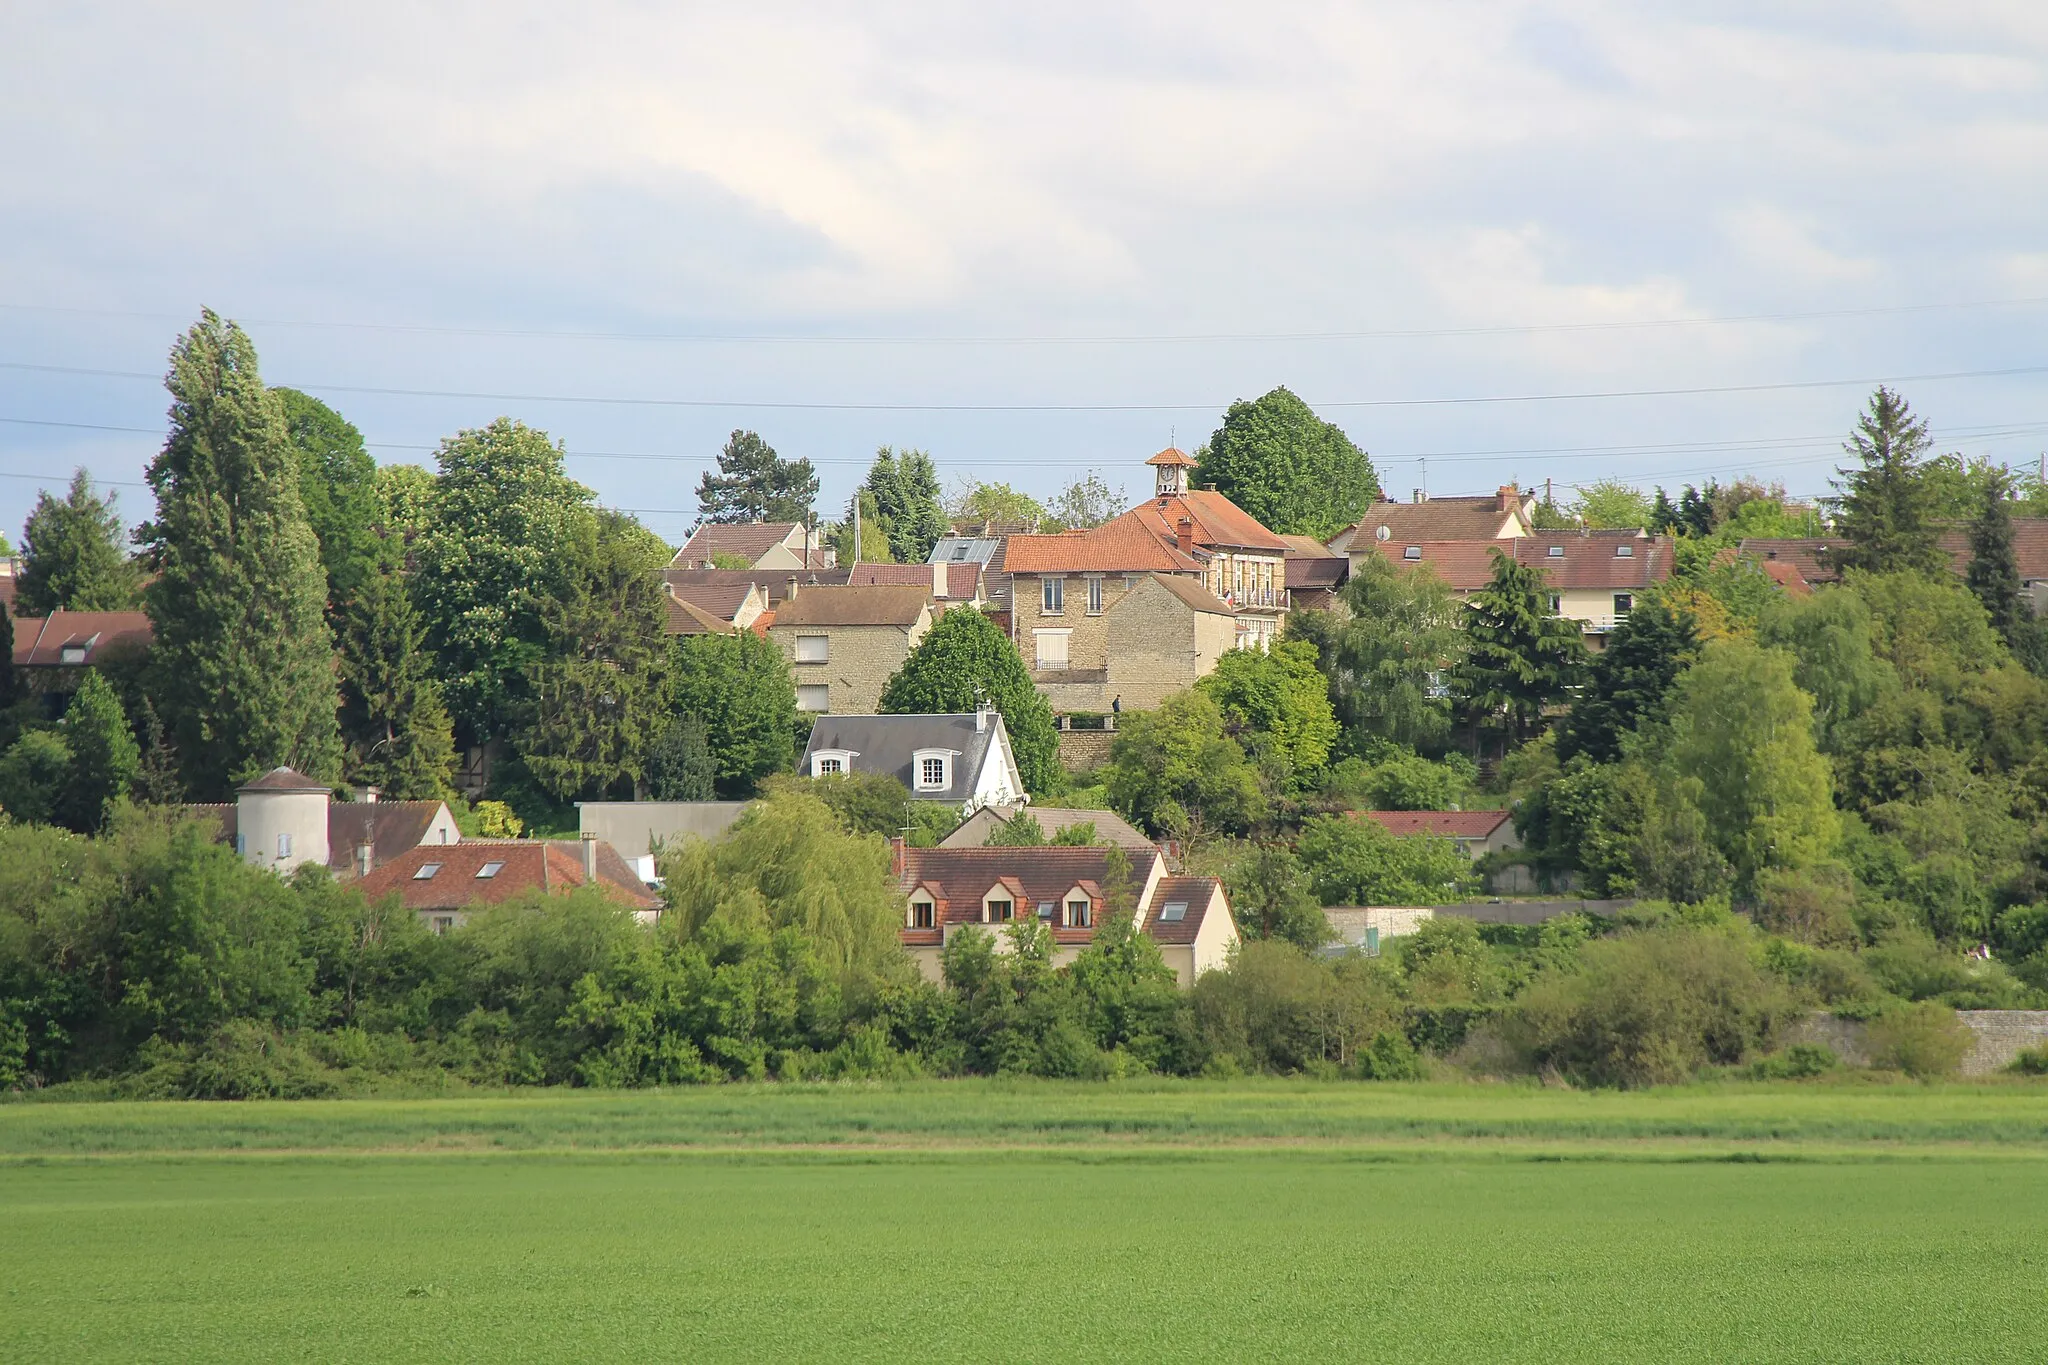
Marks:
<point>286,820</point>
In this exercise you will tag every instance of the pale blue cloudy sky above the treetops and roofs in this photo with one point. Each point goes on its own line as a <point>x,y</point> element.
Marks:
<point>1492,240</point>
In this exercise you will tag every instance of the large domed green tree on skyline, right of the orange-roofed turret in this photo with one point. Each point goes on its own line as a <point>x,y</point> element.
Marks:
<point>1287,468</point>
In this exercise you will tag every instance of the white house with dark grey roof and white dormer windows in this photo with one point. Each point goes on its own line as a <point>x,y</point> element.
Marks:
<point>962,762</point>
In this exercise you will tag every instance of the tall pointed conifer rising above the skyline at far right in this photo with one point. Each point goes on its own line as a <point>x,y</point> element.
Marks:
<point>1883,509</point>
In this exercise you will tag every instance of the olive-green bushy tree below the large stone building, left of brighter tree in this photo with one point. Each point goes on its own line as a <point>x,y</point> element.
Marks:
<point>1177,770</point>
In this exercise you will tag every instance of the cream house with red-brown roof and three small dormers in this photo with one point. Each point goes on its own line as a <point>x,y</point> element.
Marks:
<point>1070,891</point>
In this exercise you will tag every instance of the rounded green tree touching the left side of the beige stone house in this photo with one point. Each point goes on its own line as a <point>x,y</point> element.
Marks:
<point>740,689</point>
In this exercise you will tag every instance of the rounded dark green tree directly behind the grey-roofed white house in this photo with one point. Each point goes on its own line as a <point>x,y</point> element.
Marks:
<point>964,662</point>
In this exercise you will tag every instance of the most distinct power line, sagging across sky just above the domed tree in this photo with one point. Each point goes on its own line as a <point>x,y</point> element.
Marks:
<point>1134,339</point>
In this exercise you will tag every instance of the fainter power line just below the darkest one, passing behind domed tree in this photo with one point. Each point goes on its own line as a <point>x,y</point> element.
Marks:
<point>1078,408</point>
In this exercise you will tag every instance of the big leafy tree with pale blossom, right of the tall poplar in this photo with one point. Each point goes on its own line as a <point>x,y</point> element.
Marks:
<point>493,566</point>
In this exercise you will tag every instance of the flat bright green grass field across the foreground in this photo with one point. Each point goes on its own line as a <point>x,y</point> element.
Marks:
<point>1023,1223</point>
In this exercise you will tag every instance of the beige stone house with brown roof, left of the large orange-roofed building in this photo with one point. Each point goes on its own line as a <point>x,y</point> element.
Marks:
<point>845,644</point>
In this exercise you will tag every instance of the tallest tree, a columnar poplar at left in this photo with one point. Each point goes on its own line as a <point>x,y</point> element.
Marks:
<point>245,660</point>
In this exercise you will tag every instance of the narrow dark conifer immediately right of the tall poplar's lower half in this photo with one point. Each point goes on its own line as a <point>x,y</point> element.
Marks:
<point>394,723</point>
